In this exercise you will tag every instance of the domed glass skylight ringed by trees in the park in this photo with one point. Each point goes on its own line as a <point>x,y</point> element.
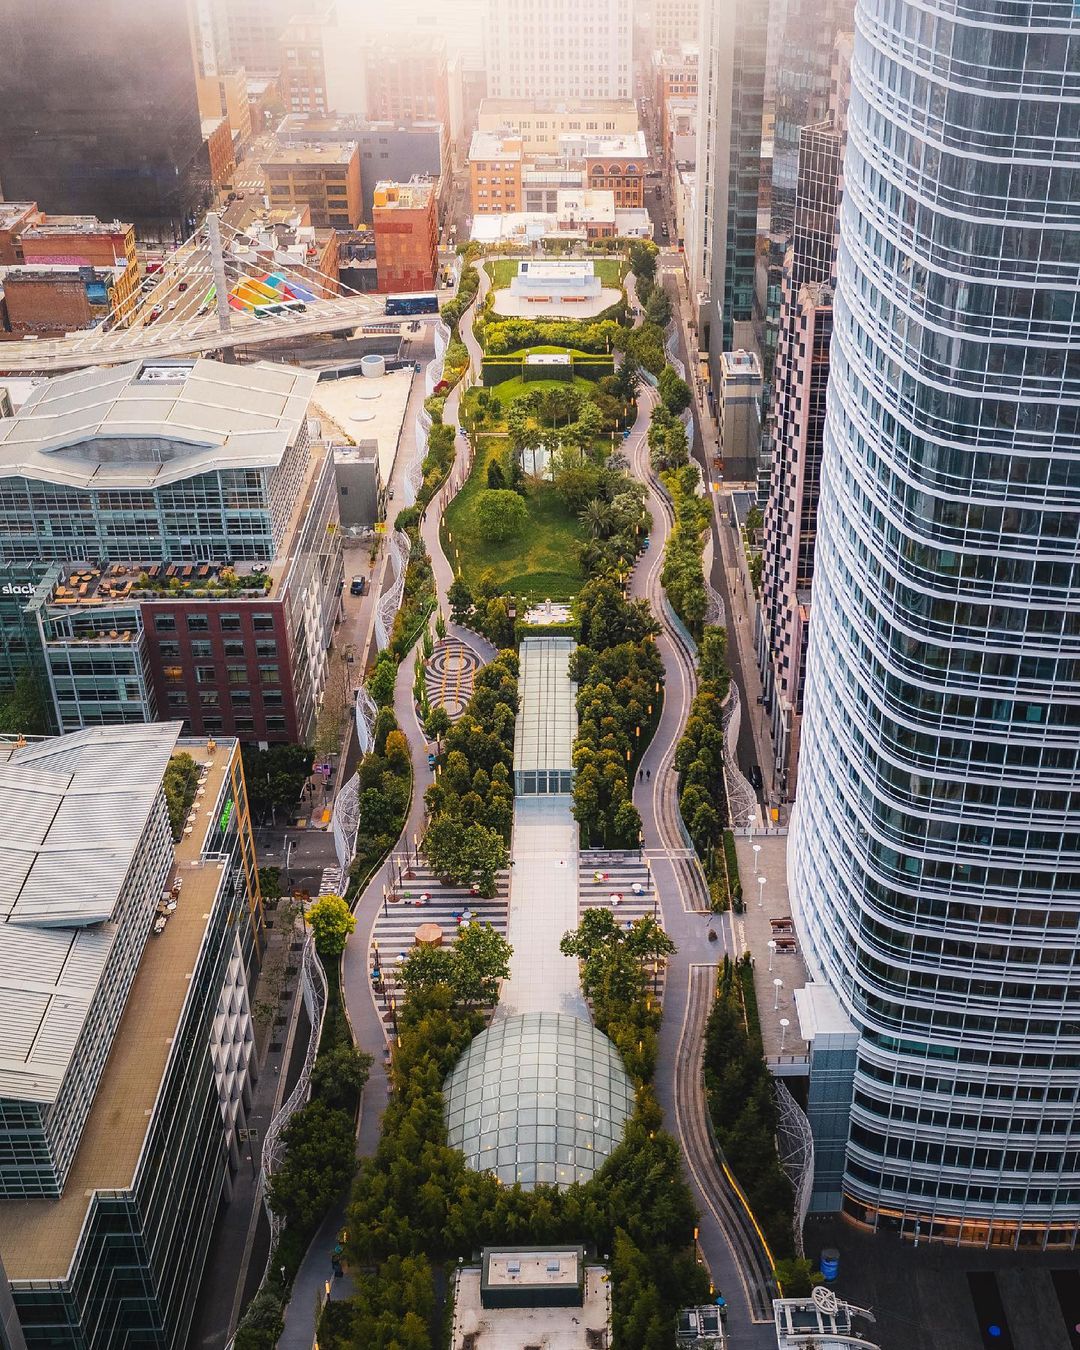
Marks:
<point>538,1098</point>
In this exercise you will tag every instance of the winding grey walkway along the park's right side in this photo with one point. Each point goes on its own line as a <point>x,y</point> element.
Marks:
<point>730,1245</point>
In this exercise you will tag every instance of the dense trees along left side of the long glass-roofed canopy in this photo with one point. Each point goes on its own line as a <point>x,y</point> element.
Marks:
<point>470,805</point>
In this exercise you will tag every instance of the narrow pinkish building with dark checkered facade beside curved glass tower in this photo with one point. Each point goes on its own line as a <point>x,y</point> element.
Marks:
<point>800,381</point>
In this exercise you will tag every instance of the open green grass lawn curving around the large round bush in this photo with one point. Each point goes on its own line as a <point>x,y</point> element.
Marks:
<point>542,565</point>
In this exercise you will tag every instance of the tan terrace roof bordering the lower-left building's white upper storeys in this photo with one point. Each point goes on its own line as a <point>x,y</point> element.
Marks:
<point>38,1237</point>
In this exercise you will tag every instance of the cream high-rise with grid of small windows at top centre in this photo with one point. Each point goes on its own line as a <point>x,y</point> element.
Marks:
<point>561,49</point>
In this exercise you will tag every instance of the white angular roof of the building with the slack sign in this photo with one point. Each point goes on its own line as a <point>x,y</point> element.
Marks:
<point>145,425</point>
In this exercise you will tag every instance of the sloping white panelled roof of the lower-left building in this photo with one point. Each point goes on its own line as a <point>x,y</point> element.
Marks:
<point>82,804</point>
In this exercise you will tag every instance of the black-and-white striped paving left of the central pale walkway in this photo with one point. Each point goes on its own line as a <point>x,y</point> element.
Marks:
<point>422,900</point>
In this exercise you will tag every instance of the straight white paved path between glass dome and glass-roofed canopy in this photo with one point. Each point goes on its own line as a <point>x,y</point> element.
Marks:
<point>543,907</point>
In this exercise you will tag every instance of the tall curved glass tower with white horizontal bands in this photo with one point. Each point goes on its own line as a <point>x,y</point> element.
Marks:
<point>935,855</point>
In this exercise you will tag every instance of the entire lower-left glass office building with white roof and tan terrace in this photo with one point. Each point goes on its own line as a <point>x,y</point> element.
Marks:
<point>128,1040</point>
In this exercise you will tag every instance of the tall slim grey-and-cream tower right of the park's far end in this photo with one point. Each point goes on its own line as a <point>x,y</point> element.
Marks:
<point>731,107</point>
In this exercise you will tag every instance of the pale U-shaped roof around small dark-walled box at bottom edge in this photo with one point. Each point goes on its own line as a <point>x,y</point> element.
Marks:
<point>580,1328</point>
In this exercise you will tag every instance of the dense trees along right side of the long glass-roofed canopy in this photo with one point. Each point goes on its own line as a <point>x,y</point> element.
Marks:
<point>619,673</point>
